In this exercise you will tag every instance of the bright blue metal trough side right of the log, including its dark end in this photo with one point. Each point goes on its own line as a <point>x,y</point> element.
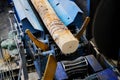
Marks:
<point>68,12</point>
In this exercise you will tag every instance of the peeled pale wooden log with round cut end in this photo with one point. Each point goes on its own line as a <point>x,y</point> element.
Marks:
<point>59,32</point>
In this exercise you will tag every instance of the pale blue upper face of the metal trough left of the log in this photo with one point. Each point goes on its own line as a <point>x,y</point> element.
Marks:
<point>24,10</point>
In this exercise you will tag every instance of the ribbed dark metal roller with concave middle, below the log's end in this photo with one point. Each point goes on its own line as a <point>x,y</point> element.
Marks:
<point>79,65</point>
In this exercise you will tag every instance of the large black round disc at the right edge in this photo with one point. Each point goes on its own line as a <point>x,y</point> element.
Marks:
<point>105,28</point>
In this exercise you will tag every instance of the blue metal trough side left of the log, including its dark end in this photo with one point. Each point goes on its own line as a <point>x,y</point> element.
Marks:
<point>26,16</point>
